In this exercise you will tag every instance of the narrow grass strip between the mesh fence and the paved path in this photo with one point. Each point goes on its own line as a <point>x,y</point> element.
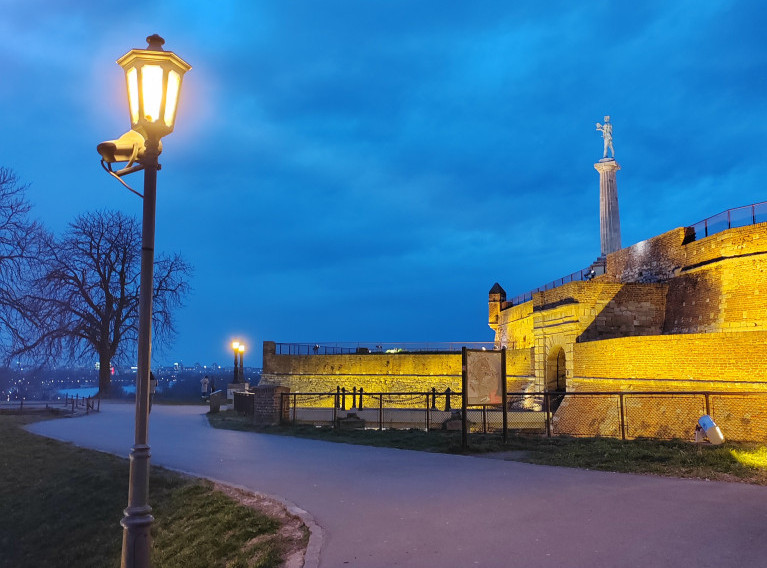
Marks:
<point>676,458</point>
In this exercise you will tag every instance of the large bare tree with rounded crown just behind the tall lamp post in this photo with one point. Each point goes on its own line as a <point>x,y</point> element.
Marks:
<point>85,301</point>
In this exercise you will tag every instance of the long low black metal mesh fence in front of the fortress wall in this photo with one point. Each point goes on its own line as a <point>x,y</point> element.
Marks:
<point>627,415</point>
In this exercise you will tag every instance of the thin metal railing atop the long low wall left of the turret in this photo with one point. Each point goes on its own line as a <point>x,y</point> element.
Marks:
<point>373,348</point>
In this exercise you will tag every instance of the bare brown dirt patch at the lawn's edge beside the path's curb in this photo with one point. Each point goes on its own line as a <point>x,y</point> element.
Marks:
<point>293,532</point>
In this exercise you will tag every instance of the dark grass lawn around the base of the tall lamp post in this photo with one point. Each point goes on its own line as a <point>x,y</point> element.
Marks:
<point>61,506</point>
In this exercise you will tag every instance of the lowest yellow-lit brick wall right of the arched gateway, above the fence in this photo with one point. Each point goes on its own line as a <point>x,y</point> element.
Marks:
<point>711,361</point>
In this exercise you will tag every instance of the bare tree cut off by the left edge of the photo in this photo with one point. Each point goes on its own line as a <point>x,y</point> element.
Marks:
<point>20,240</point>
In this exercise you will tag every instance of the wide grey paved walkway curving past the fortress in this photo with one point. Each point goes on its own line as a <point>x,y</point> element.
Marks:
<point>381,508</point>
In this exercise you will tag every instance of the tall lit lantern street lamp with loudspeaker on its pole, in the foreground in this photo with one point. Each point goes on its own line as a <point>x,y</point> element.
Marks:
<point>153,79</point>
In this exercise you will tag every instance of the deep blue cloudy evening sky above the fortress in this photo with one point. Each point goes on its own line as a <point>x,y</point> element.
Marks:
<point>365,170</point>
